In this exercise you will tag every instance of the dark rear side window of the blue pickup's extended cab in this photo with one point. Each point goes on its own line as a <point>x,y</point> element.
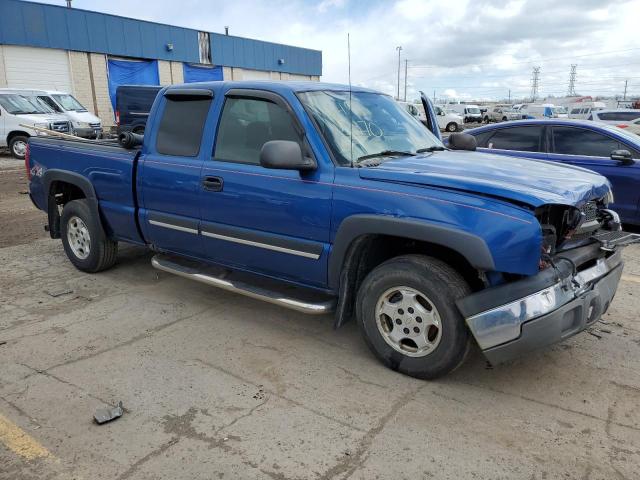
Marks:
<point>181,126</point>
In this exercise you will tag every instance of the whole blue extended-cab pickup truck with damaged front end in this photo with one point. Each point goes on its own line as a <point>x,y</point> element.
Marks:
<point>320,199</point>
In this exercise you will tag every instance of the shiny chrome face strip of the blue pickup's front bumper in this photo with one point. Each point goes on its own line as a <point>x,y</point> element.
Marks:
<point>503,323</point>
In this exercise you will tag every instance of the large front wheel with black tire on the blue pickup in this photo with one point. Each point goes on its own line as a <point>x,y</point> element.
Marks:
<point>440,286</point>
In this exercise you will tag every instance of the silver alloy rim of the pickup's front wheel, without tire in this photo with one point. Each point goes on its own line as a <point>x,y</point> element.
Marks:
<point>408,321</point>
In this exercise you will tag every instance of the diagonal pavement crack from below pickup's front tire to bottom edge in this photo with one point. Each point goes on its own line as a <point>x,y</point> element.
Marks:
<point>349,464</point>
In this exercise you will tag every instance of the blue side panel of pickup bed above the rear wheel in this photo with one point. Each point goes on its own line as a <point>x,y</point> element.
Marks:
<point>108,168</point>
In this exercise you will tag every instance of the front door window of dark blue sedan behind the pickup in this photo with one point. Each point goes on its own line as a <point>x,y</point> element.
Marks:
<point>578,141</point>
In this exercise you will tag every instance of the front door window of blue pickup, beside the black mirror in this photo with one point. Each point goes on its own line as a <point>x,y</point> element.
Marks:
<point>247,124</point>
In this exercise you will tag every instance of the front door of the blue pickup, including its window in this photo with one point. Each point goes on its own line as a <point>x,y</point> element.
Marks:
<point>273,222</point>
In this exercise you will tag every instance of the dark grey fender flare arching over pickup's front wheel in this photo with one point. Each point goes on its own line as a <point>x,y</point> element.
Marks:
<point>473,248</point>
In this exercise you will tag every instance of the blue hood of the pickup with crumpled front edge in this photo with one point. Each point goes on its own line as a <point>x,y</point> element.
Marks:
<point>532,182</point>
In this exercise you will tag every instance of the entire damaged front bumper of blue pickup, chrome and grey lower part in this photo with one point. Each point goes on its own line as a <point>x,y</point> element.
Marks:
<point>561,310</point>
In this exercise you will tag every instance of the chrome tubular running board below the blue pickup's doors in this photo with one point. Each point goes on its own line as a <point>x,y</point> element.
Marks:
<point>243,288</point>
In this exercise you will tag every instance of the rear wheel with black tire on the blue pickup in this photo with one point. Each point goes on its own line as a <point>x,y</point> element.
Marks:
<point>84,239</point>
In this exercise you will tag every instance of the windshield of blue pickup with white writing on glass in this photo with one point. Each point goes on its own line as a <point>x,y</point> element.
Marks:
<point>378,122</point>
